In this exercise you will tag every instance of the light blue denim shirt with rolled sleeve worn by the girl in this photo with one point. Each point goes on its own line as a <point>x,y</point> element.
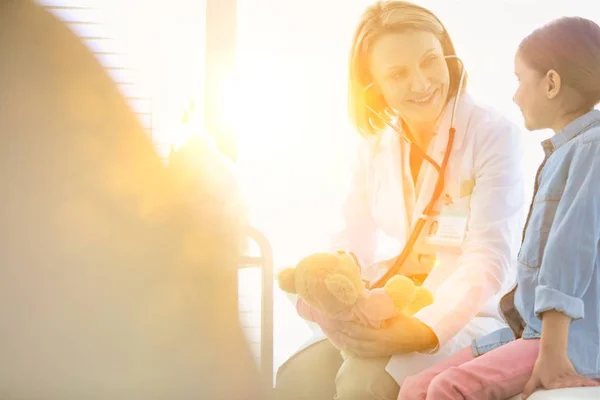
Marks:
<point>558,261</point>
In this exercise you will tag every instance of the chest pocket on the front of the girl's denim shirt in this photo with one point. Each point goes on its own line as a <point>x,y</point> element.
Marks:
<point>538,229</point>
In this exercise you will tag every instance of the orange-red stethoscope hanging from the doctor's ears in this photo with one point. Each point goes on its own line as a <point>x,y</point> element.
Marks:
<point>439,185</point>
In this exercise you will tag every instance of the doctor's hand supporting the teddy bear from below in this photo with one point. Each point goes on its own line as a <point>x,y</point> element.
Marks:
<point>402,334</point>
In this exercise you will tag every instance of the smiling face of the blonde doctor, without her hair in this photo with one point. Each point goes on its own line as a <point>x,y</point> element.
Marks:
<point>410,71</point>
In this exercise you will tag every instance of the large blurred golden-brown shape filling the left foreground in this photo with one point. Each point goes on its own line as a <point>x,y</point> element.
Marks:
<point>117,274</point>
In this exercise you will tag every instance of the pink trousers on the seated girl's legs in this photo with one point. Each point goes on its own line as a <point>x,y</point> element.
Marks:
<point>498,374</point>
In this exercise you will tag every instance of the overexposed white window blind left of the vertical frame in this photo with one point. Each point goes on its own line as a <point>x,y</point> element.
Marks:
<point>154,53</point>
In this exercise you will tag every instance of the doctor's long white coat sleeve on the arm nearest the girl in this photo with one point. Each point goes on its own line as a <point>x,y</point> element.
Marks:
<point>493,230</point>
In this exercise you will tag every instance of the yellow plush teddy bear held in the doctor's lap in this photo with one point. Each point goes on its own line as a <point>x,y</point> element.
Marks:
<point>330,290</point>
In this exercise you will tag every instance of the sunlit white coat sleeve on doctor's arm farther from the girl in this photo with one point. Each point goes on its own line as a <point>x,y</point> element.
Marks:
<point>357,233</point>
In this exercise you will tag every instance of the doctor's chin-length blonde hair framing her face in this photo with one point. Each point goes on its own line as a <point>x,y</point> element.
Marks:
<point>379,19</point>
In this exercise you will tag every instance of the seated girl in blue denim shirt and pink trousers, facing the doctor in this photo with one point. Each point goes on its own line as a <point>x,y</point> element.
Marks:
<point>553,312</point>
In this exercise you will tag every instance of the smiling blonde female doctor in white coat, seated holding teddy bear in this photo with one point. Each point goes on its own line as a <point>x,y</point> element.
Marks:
<point>406,94</point>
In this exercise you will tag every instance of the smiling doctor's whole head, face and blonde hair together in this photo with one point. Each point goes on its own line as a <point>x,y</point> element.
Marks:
<point>398,68</point>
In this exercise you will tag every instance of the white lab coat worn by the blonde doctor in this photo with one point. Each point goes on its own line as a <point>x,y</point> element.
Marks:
<point>468,280</point>
